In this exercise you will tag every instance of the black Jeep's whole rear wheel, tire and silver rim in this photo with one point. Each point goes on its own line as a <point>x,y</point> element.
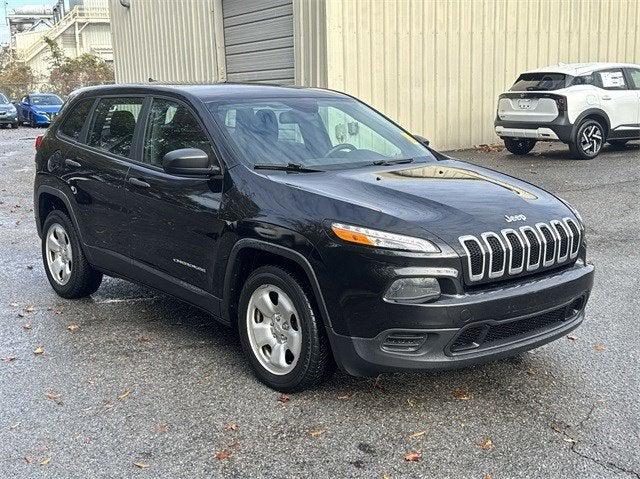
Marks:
<point>77,280</point>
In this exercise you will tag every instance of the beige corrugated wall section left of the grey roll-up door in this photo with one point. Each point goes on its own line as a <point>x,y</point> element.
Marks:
<point>168,40</point>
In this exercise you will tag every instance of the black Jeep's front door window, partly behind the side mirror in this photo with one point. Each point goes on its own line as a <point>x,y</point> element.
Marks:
<point>172,126</point>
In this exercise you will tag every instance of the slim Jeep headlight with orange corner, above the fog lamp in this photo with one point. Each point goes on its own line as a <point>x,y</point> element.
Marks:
<point>382,239</point>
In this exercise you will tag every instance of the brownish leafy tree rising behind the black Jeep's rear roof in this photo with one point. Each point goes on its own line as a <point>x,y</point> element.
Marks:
<point>73,73</point>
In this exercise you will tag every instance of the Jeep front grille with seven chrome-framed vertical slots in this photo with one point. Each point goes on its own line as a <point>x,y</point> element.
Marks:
<point>514,251</point>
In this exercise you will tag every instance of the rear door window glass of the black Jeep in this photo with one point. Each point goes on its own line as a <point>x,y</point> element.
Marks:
<point>114,121</point>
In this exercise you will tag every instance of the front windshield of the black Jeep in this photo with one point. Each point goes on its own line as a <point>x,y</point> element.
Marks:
<point>313,132</point>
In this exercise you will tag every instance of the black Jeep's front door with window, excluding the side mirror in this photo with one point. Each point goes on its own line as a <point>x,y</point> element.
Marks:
<point>175,224</point>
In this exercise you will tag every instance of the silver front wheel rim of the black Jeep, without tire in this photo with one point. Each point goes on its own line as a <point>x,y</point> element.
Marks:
<point>274,329</point>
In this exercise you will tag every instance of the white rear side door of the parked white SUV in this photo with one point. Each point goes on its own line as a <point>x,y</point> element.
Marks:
<point>618,100</point>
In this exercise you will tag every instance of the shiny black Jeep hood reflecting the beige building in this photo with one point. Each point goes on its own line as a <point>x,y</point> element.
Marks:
<point>446,198</point>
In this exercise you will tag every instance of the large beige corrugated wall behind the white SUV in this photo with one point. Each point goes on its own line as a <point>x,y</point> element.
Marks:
<point>437,66</point>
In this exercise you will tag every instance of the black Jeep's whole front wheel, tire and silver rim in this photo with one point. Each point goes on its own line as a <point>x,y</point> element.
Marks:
<point>298,357</point>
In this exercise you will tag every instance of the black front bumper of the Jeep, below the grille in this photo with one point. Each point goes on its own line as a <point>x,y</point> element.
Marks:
<point>501,309</point>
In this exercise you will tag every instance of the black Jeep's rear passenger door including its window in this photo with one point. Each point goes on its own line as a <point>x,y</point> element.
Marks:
<point>96,162</point>
